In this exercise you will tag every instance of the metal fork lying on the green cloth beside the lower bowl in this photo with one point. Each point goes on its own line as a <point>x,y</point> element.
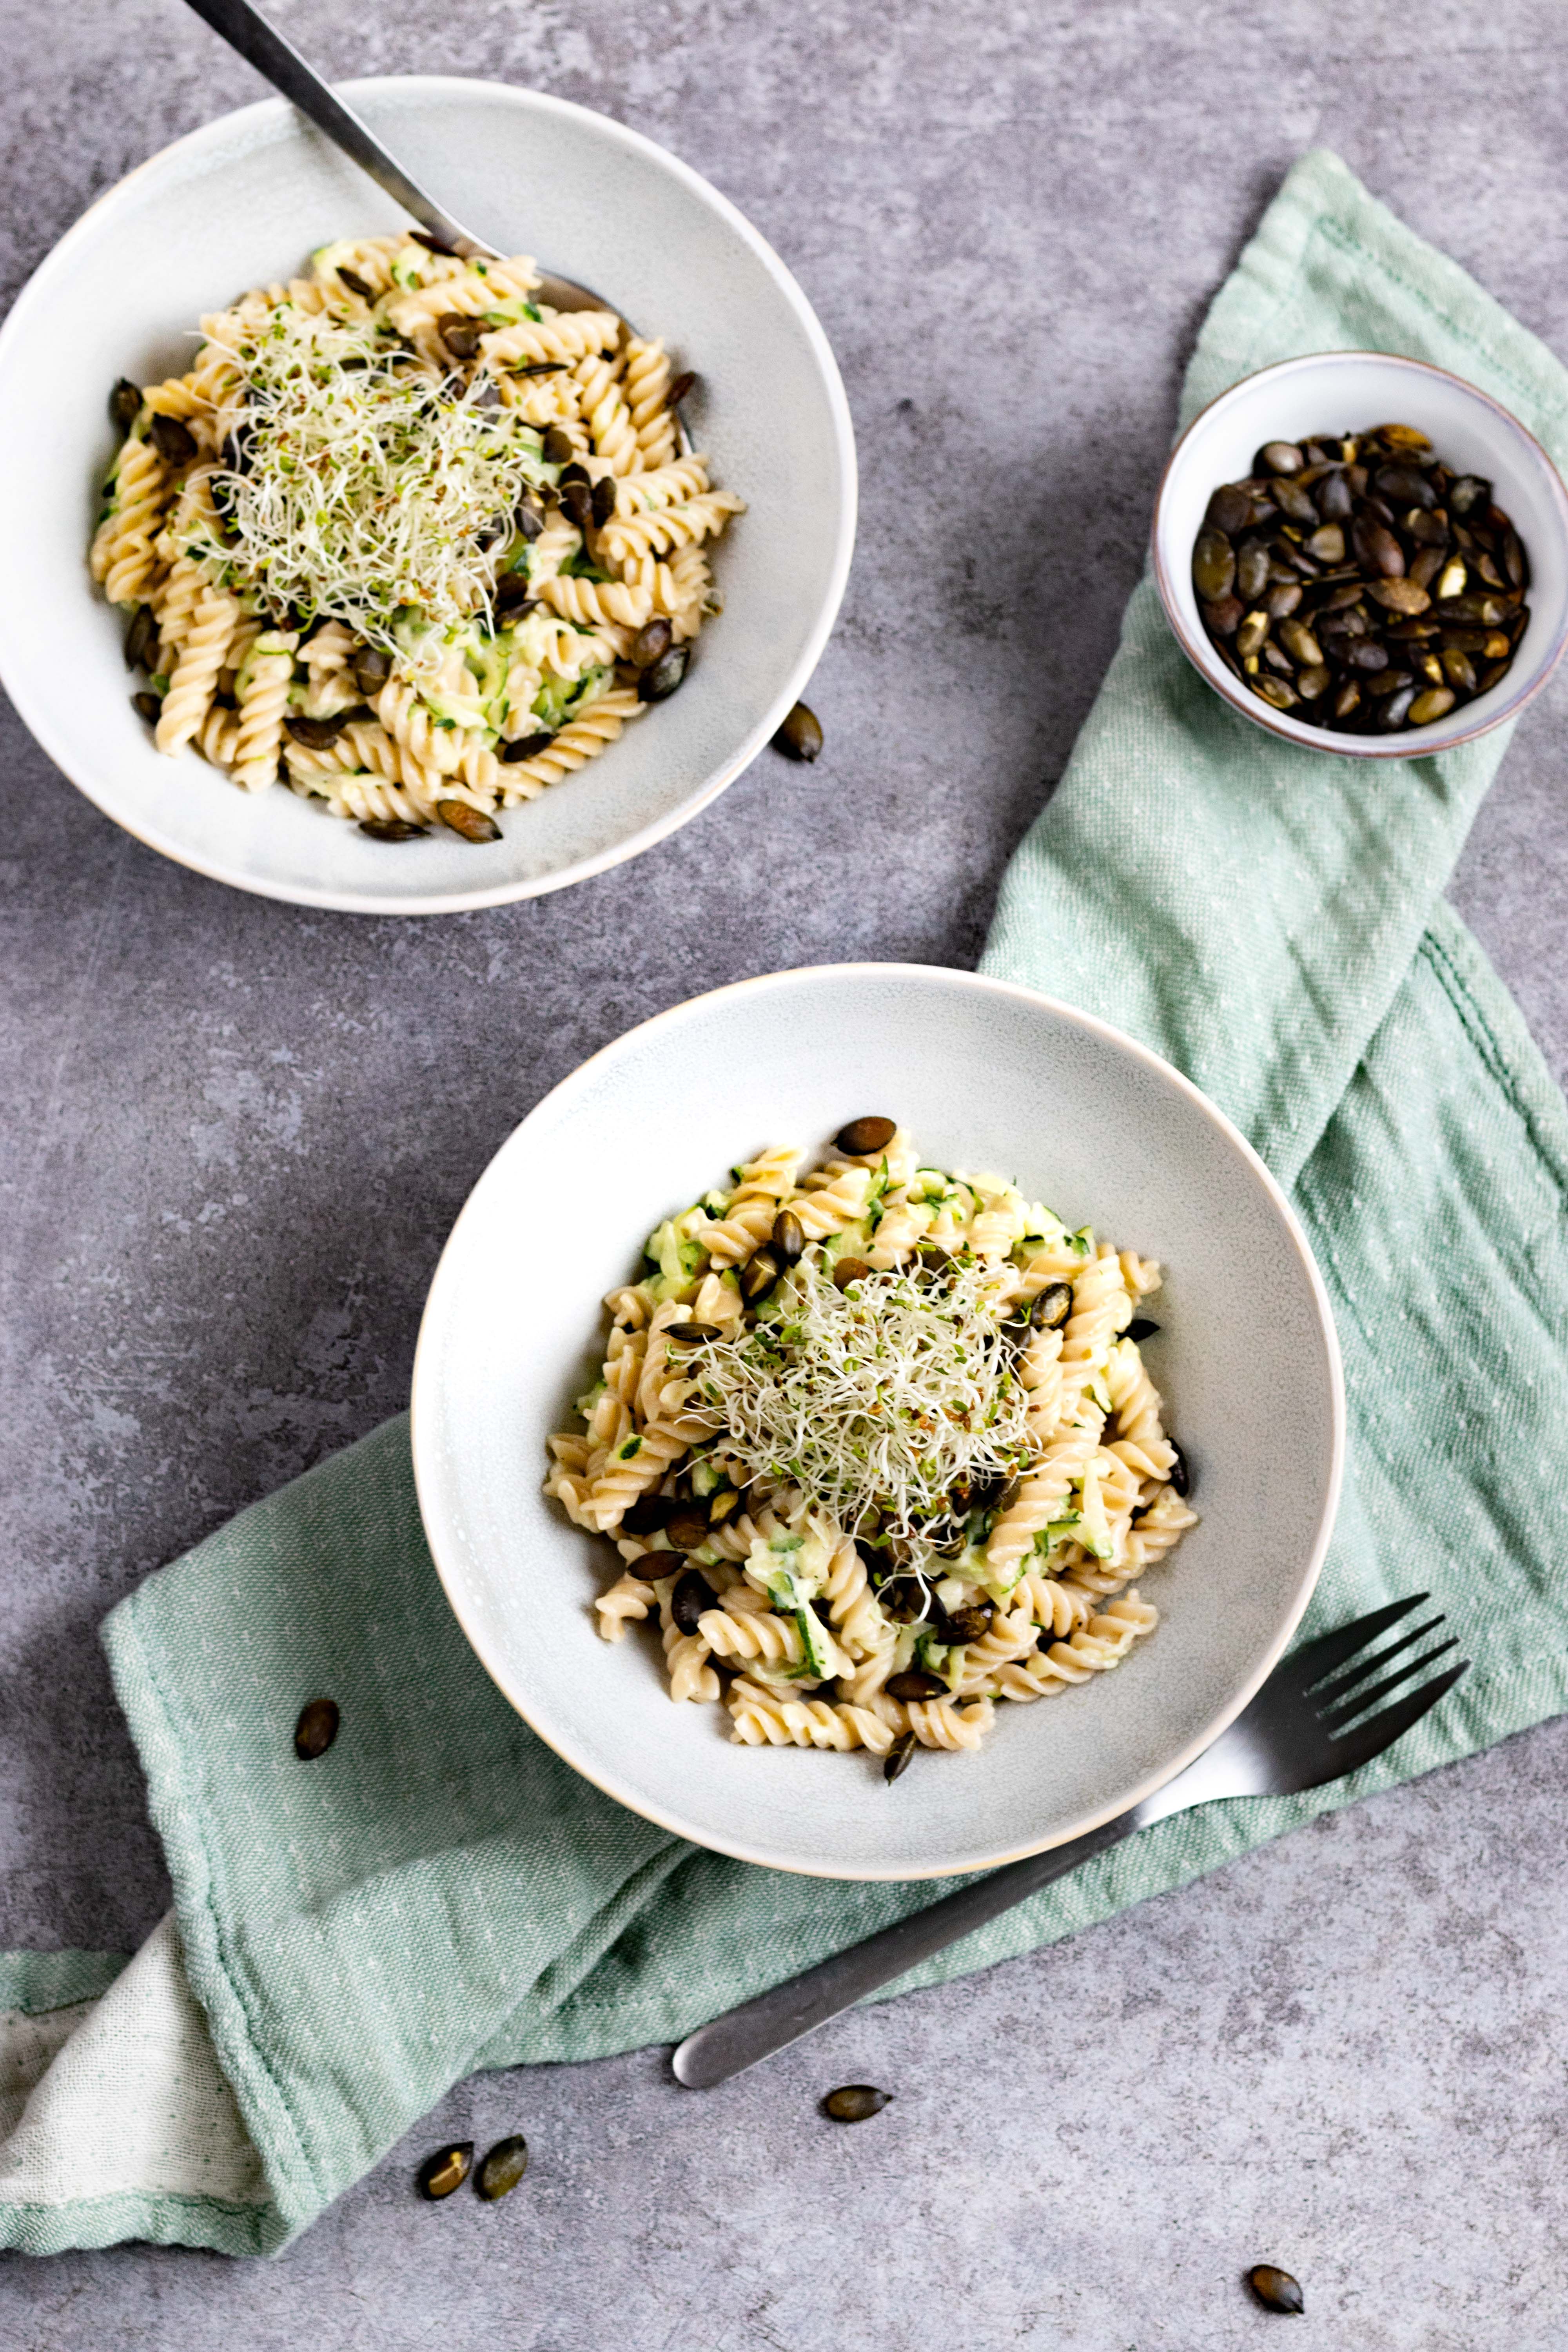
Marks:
<point>1306,1725</point>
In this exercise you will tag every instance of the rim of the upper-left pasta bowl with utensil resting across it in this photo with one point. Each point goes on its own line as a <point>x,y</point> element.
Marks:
<point>457,902</point>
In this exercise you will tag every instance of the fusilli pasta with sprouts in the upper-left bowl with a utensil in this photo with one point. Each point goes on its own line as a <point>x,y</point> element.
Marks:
<point>408,540</point>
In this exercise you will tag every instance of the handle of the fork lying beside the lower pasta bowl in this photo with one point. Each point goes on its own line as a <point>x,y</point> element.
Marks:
<point>803,2003</point>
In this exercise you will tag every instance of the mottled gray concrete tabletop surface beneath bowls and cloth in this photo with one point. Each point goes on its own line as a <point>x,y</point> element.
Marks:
<point>236,1137</point>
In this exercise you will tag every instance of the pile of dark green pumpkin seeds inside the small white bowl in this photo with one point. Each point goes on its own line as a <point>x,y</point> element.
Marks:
<point>1360,582</point>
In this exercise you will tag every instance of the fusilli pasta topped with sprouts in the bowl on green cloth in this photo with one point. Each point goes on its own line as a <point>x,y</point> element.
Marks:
<point>878,1450</point>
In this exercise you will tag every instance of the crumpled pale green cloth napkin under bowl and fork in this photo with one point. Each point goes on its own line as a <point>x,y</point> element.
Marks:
<point>441,1892</point>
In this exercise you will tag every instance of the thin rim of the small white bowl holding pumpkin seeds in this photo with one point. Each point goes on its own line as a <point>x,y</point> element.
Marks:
<point>1278,723</point>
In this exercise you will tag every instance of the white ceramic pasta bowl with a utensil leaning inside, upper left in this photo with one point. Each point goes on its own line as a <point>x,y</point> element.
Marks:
<point>241,203</point>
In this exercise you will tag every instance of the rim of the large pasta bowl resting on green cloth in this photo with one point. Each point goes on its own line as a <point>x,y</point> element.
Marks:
<point>427,1455</point>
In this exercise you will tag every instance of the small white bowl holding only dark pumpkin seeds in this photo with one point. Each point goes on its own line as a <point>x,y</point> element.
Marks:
<point>1348,392</point>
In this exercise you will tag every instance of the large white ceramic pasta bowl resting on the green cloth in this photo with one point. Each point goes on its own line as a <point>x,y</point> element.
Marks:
<point>989,1078</point>
